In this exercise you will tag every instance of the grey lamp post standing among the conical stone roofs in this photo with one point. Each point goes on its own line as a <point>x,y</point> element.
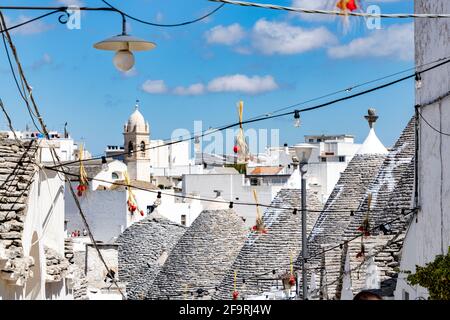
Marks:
<point>303,152</point>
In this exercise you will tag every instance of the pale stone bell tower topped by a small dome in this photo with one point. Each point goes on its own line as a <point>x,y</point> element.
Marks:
<point>136,135</point>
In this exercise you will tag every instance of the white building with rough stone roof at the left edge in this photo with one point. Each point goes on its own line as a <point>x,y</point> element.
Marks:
<point>32,257</point>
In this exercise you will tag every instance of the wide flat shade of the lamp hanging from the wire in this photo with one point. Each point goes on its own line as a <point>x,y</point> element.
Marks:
<point>125,42</point>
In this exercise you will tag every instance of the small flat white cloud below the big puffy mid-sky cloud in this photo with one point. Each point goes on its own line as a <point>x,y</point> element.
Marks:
<point>242,83</point>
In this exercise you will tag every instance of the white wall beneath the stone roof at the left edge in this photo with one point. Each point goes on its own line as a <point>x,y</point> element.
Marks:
<point>43,226</point>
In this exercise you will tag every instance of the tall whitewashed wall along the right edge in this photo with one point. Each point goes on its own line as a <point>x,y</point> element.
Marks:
<point>430,235</point>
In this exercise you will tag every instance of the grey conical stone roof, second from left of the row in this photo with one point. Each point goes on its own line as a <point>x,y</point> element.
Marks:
<point>202,256</point>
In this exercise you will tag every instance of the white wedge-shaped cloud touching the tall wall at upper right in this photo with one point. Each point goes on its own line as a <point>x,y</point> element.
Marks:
<point>396,41</point>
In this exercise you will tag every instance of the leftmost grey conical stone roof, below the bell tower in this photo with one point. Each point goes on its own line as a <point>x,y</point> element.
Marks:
<point>142,248</point>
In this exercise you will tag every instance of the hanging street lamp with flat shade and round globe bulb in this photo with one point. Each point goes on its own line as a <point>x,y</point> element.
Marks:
<point>124,45</point>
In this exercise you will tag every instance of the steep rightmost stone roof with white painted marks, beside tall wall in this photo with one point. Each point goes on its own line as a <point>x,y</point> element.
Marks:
<point>392,190</point>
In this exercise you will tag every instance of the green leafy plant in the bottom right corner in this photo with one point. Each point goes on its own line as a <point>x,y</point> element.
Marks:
<point>435,277</point>
